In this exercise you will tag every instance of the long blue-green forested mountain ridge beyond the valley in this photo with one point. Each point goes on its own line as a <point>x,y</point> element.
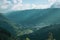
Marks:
<point>35,17</point>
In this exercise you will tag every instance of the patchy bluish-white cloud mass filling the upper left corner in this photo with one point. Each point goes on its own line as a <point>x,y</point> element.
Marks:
<point>9,4</point>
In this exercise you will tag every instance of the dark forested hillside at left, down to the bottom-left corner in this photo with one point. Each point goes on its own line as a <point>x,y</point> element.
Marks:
<point>6,29</point>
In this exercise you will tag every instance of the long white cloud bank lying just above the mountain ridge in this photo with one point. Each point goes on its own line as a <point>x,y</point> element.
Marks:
<point>30,6</point>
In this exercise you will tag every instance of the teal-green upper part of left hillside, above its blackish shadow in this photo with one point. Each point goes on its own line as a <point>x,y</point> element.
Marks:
<point>4,23</point>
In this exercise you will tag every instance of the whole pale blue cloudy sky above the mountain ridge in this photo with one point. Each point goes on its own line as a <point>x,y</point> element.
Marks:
<point>7,5</point>
